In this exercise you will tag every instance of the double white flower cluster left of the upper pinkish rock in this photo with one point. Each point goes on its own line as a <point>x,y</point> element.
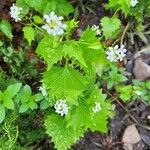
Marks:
<point>116,53</point>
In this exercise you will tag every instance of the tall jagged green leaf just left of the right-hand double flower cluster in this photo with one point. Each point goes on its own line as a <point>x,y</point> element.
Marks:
<point>93,52</point>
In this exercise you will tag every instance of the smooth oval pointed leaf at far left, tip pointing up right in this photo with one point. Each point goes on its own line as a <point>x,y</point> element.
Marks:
<point>12,90</point>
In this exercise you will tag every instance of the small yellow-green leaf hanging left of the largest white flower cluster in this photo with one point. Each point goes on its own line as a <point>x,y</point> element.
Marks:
<point>29,33</point>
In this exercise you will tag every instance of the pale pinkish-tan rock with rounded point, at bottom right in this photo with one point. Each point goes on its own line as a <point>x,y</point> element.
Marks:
<point>130,137</point>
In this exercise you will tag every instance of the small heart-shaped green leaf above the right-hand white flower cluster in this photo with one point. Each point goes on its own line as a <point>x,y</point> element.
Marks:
<point>110,26</point>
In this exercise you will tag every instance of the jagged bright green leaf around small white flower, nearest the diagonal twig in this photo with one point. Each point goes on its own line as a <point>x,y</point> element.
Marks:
<point>98,121</point>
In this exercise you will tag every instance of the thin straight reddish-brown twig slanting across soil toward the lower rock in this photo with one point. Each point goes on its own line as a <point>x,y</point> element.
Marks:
<point>121,106</point>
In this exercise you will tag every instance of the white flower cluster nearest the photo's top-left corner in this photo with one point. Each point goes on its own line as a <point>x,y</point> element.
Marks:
<point>15,12</point>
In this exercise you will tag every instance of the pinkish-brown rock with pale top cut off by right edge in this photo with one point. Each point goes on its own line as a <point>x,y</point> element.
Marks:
<point>141,69</point>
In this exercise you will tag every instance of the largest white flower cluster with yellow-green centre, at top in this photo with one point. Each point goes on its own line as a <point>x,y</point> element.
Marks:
<point>54,25</point>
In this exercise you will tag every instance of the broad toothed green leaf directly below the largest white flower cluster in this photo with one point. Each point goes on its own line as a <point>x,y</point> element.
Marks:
<point>50,49</point>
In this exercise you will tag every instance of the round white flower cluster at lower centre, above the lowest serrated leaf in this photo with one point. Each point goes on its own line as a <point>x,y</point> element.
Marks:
<point>61,107</point>
